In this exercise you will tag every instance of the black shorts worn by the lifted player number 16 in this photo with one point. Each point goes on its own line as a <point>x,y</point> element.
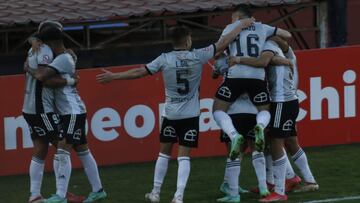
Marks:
<point>232,88</point>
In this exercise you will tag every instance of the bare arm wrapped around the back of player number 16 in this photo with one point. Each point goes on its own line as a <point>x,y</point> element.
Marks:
<point>260,62</point>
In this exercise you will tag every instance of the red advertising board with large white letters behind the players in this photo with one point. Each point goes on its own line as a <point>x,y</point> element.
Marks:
<point>123,117</point>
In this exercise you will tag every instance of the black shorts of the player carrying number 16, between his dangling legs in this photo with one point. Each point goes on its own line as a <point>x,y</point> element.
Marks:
<point>244,123</point>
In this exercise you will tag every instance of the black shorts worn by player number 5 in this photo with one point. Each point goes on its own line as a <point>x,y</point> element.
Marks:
<point>187,130</point>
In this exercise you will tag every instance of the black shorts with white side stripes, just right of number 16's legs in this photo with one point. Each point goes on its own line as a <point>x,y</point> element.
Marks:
<point>283,118</point>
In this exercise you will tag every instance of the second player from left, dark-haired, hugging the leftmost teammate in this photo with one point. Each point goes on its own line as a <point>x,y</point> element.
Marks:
<point>72,113</point>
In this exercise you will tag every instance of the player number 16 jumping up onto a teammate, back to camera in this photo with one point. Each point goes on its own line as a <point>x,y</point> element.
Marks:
<point>245,79</point>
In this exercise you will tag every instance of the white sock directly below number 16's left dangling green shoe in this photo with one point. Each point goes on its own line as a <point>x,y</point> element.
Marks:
<point>233,173</point>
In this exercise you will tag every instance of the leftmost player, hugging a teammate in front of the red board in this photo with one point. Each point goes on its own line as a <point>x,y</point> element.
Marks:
<point>39,113</point>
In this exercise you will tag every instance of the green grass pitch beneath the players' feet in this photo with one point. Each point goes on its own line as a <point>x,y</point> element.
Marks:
<point>336,168</point>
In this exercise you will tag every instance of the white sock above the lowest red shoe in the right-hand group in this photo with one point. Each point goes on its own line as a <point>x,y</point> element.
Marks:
<point>279,175</point>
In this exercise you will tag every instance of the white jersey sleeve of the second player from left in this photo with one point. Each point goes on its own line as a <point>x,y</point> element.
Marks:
<point>62,64</point>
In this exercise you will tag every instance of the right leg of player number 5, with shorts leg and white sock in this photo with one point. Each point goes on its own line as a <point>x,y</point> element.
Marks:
<point>188,133</point>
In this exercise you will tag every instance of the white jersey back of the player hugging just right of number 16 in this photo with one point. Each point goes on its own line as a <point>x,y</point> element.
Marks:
<point>282,79</point>
